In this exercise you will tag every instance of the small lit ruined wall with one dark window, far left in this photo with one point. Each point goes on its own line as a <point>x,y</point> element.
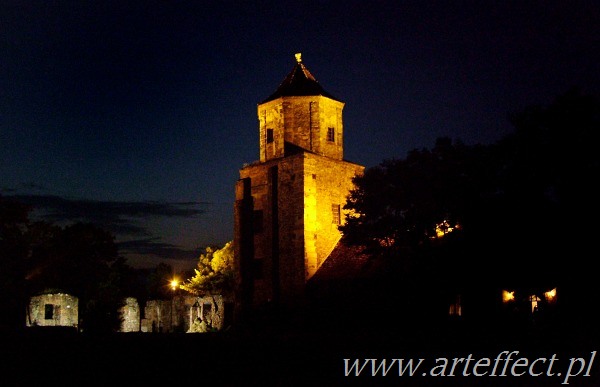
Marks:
<point>58,309</point>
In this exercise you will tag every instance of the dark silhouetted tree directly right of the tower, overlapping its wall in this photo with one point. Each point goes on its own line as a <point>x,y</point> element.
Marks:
<point>415,216</point>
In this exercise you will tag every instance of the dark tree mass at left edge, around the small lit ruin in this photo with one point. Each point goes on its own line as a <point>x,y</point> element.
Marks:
<point>81,259</point>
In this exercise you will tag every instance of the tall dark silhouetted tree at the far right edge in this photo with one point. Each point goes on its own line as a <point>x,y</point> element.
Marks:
<point>551,187</point>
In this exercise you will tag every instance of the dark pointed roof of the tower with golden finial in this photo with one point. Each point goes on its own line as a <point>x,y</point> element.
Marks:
<point>299,82</point>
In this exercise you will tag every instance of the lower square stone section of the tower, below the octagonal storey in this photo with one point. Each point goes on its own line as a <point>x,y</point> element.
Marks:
<point>296,206</point>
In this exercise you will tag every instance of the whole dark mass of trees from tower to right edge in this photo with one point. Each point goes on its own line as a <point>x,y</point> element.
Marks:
<point>524,206</point>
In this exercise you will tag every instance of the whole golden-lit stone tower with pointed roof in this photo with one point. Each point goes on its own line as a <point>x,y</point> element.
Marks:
<point>289,203</point>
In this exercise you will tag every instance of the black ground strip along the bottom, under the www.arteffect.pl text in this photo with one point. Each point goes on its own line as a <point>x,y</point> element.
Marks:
<point>279,357</point>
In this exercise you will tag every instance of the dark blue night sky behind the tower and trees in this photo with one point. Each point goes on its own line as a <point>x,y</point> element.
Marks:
<point>139,115</point>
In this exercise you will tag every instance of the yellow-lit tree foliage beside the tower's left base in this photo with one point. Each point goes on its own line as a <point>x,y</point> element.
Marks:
<point>214,272</point>
